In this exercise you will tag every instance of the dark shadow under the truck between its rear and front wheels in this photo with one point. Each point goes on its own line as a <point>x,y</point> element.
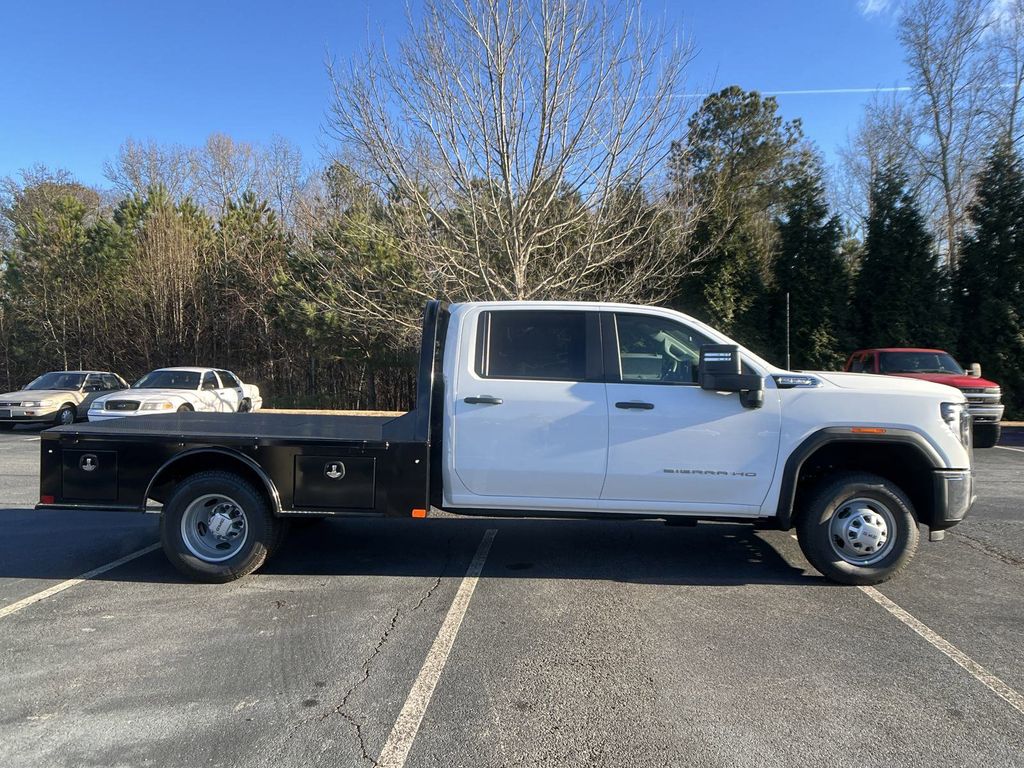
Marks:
<point>642,552</point>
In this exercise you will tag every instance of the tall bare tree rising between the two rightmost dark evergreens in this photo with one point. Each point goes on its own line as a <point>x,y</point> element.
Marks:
<point>944,42</point>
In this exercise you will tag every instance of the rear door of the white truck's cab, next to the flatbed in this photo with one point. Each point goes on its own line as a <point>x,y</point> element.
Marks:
<point>530,414</point>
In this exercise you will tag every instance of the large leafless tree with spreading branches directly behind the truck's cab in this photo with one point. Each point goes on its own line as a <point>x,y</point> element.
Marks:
<point>518,151</point>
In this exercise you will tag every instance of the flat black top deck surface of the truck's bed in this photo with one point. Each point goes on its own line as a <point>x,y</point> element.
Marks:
<point>190,428</point>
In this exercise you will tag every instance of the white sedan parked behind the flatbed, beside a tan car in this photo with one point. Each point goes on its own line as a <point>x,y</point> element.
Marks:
<point>169,391</point>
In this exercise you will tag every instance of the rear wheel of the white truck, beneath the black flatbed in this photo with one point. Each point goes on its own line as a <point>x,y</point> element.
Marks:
<point>217,528</point>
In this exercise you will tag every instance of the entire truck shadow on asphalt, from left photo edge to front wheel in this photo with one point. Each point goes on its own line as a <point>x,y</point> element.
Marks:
<point>64,545</point>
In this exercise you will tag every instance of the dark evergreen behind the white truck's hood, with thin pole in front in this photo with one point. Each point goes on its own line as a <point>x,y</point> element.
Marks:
<point>809,267</point>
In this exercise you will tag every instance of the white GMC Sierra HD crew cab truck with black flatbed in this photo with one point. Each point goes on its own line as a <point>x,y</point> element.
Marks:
<point>550,409</point>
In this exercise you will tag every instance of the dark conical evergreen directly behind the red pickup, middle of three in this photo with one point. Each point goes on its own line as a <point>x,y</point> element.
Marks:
<point>901,297</point>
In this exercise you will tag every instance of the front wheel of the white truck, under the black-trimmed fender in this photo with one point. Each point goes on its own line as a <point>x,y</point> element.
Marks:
<point>858,529</point>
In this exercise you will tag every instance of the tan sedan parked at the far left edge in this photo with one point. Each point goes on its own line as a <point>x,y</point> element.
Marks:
<point>57,398</point>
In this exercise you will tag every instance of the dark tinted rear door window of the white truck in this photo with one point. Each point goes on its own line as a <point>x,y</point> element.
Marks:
<point>525,345</point>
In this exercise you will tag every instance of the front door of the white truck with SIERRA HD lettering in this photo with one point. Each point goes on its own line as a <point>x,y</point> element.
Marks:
<point>673,445</point>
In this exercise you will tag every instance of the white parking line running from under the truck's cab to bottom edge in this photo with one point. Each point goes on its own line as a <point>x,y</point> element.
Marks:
<point>400,742</point>
